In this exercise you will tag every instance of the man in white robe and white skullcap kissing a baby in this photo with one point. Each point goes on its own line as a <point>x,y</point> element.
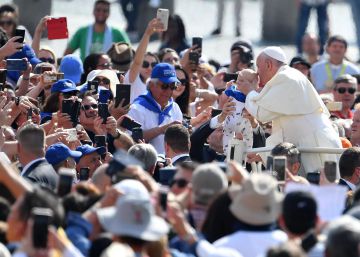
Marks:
<point>290,101</point>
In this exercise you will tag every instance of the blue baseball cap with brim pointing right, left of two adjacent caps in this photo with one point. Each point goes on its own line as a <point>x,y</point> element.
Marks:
<point>59,152</point>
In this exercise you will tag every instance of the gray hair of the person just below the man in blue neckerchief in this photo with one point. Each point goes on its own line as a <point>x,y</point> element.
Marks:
<point>145,153</point>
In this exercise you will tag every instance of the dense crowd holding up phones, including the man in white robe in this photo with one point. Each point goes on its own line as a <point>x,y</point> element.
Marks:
<point>126,152</point>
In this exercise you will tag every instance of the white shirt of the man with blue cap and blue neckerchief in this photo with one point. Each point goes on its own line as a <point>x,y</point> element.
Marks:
<point>149,120</point>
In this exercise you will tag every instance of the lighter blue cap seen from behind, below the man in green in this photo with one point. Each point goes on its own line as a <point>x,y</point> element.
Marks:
<point>72,67</point>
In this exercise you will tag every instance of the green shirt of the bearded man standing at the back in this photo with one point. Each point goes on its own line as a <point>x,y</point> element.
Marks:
<point>80,38</point>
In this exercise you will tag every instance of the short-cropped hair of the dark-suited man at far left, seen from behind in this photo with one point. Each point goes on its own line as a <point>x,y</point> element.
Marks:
<point>32,138</point>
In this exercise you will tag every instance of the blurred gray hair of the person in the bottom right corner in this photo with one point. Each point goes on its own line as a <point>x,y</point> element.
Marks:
<point>343,237</point>
